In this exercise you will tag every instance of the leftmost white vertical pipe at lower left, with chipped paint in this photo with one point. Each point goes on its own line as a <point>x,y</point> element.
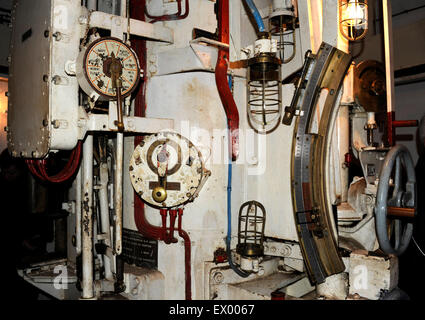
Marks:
<point>87,219</point>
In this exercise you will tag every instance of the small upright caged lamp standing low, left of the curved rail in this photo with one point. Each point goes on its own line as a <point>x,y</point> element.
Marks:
<point>252,220</point>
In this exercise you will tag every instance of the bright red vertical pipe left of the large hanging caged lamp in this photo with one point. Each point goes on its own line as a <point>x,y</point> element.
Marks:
<point>221,79</point>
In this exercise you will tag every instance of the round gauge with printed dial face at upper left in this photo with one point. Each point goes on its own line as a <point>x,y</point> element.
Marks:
<point>104,60</point>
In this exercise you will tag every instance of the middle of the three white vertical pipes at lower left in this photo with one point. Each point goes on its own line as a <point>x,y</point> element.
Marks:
<point>104,216</point>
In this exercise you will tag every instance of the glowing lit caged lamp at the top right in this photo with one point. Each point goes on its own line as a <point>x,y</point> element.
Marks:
<point>353,19</point>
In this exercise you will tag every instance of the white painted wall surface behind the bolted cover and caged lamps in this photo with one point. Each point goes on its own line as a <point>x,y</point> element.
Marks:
<point>192,99</point>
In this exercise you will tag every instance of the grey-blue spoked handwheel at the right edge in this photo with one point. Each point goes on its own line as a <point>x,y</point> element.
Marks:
<point>395,211</point>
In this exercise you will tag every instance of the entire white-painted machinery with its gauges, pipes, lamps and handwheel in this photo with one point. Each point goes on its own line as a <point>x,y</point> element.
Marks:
<point>182,114</point>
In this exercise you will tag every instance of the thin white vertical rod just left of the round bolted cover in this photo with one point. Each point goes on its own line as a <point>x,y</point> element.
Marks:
<point>118,192</point>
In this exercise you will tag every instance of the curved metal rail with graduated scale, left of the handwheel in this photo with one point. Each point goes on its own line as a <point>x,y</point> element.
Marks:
<point>312,209</point>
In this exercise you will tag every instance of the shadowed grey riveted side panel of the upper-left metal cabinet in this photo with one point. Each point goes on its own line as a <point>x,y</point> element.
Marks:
<point>28,113</point>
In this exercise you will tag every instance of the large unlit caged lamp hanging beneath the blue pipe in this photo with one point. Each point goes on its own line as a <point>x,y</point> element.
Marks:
<point>264,92</point>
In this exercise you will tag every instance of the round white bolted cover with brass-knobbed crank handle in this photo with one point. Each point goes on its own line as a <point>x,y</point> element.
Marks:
<point>167,170</point>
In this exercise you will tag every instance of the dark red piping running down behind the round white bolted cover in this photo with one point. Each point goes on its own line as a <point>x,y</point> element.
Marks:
<point>148,230</point>
